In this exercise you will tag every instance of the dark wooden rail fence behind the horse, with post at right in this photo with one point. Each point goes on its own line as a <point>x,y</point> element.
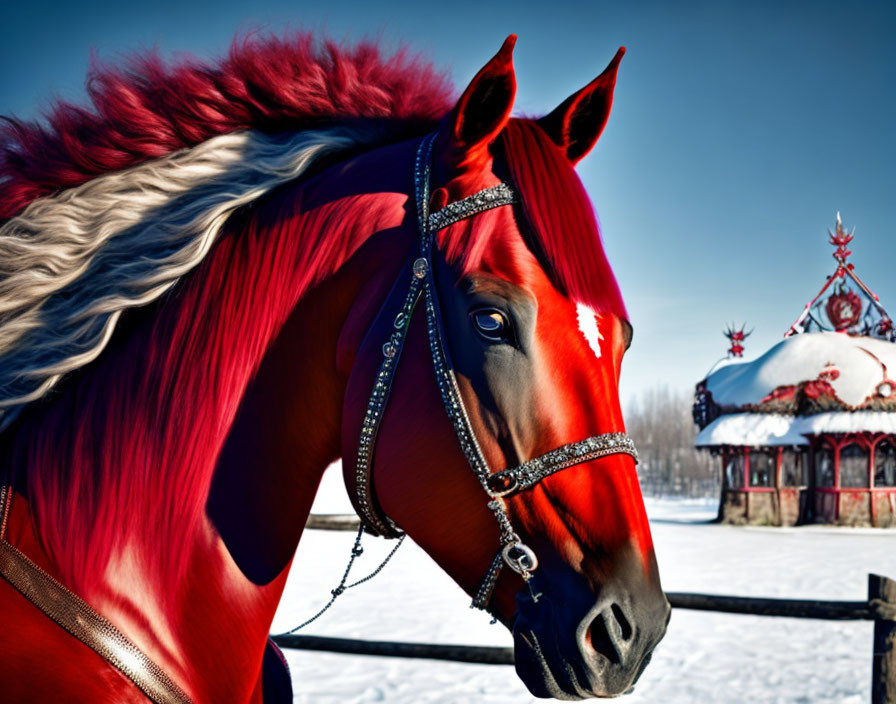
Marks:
<point>880,607</point>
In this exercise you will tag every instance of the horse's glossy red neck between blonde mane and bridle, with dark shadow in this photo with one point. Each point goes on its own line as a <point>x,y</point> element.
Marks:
<point>195,444</point>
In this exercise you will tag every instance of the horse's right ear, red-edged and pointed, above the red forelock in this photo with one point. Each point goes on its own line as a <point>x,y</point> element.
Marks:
<point>577,122</point>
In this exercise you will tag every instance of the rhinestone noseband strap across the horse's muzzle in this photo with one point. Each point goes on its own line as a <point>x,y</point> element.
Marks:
<point>528,474</point>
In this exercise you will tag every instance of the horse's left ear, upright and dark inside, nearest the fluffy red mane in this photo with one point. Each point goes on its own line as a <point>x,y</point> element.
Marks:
<point>484,108</point>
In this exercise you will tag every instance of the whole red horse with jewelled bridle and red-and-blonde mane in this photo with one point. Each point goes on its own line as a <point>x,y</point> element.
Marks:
<point>223,277</point>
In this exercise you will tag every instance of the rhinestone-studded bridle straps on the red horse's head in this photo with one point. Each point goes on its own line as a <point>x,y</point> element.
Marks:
<point>498,485</point>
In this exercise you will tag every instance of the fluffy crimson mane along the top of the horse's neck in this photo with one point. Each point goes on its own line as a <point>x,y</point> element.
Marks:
<point>149,109</point>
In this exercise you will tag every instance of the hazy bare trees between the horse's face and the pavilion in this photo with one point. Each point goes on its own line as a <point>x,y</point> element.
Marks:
<point>661,425</point>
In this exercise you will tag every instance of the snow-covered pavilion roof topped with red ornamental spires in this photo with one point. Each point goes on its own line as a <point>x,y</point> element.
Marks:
<point>834,363</point>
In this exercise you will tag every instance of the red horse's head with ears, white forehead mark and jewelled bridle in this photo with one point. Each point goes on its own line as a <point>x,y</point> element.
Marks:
<point>527,321</point>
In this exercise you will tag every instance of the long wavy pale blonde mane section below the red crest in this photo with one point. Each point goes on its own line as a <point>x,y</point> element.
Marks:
<point>72,262</point>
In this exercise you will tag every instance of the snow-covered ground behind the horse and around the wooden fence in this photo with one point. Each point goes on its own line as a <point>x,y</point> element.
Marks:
<point>705,657</point>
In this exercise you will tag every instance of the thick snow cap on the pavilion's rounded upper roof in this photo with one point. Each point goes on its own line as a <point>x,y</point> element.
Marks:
<point>860,361</point>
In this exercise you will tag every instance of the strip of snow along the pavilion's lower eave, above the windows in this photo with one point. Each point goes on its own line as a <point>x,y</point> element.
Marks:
<point>756,429</point>
